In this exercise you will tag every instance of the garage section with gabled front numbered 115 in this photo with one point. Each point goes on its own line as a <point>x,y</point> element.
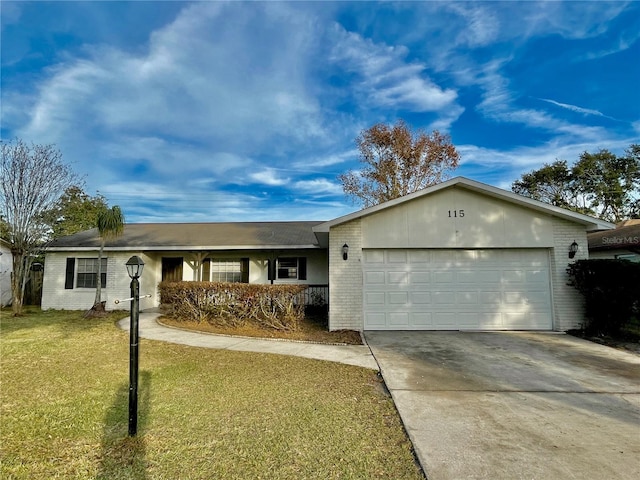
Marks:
<point>459,255</point>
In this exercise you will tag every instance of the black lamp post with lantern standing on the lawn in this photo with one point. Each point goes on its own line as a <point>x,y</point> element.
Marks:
<point>134,269</point>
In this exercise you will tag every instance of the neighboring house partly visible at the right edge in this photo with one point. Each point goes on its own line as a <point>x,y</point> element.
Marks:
<point>622,243</point>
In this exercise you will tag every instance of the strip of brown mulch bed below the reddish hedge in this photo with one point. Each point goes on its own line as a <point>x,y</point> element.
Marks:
<point>312,329</point>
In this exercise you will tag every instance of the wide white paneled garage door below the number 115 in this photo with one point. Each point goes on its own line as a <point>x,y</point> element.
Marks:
<point>505,289</point>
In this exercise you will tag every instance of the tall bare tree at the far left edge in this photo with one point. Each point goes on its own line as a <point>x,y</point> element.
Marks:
<point>32,179</point>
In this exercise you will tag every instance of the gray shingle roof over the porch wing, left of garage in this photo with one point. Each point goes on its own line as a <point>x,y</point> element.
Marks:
<point>205,236</point>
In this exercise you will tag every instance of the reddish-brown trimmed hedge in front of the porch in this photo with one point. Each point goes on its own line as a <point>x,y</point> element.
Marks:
<point>280,307</point>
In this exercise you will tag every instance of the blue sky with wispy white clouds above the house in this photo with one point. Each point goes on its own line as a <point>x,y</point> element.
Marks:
<point>211,111</point>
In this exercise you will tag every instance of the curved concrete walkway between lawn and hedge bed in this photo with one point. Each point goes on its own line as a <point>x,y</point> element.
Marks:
<point>358,355</point>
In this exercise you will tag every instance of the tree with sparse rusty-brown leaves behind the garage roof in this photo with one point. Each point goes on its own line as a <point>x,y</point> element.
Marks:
<point>398,161</point>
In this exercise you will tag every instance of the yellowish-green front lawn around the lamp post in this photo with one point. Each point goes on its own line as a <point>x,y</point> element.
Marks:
<point>202,413</point>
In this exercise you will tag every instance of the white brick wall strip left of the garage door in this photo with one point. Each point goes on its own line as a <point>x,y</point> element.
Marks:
<point>345,277</point>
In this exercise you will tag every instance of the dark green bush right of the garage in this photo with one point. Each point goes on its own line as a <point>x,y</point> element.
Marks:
<point>611,289</point>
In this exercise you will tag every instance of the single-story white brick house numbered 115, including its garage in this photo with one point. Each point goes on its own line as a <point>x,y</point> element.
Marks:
<point>460,255</point>
